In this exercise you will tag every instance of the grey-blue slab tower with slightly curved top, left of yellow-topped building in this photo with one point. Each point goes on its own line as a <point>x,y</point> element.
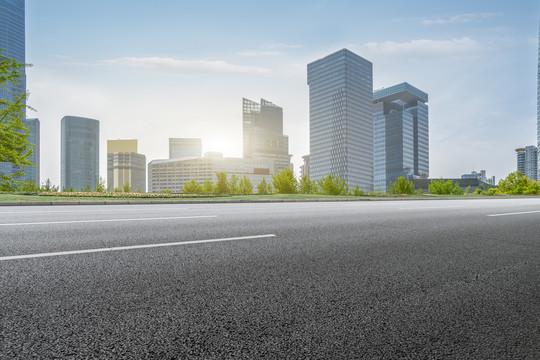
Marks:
<point>80,153</point>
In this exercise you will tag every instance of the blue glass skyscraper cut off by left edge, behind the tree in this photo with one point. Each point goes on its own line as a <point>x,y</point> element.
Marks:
<point>12,41</point>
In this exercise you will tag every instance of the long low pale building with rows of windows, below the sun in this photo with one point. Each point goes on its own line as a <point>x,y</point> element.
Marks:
<point>173,173</point>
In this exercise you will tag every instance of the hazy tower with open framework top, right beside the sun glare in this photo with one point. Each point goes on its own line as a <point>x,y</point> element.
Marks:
<point>263,133</point>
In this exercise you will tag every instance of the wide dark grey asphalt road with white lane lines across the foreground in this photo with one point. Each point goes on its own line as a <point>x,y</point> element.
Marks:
<point>337,280</point>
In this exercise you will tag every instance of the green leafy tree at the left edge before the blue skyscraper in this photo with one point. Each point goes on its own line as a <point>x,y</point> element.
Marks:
<point>14,145</point>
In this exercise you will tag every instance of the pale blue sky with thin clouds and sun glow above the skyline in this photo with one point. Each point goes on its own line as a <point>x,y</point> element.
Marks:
<point>150,70</point>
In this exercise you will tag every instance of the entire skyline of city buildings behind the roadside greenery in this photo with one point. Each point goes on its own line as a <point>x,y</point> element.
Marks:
<point>368,138</point>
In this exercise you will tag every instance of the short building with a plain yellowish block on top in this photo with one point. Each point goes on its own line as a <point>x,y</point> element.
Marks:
<point>125,165</point>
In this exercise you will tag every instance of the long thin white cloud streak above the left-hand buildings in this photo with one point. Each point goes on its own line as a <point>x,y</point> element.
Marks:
<point>170,64</point>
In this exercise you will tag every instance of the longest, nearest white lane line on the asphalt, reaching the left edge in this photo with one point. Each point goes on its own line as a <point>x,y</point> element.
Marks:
<point>120,248</point>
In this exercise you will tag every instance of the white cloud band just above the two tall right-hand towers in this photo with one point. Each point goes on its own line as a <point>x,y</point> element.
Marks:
<point>425,47</point>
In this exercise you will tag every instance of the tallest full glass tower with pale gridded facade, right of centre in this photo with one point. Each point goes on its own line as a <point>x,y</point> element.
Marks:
<point>341,118</point>
